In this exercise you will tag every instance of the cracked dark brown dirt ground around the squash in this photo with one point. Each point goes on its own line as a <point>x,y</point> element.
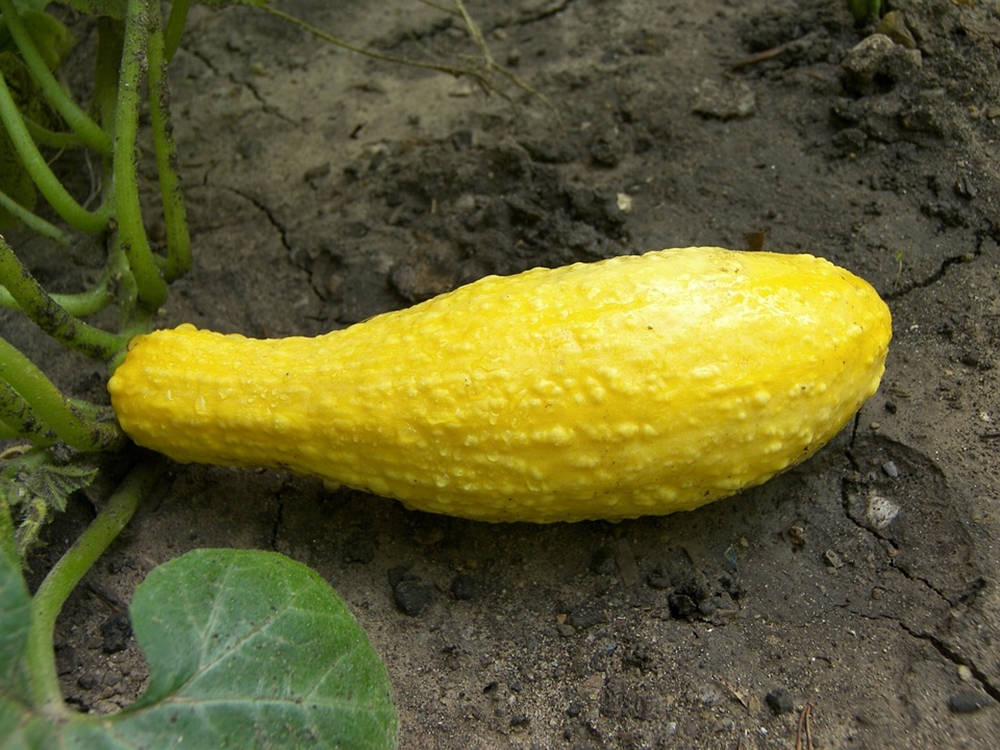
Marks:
<point>325,188</point>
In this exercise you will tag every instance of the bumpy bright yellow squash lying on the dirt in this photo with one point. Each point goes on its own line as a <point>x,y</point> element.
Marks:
<point>631,386</point>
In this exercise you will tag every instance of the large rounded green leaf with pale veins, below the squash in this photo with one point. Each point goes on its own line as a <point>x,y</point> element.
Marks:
<point>249,648</point>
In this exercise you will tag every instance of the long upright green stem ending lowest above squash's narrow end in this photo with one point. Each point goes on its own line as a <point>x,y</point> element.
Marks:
<point>152,288</point>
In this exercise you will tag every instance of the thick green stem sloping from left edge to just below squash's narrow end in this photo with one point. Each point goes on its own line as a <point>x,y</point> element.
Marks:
<point>51,407</point>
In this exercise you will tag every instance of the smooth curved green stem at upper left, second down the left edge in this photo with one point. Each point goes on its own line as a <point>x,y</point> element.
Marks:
<point>64,204</point>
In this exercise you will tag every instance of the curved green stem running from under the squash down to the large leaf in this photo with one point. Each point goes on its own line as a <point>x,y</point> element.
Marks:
<point>66,574</point>
